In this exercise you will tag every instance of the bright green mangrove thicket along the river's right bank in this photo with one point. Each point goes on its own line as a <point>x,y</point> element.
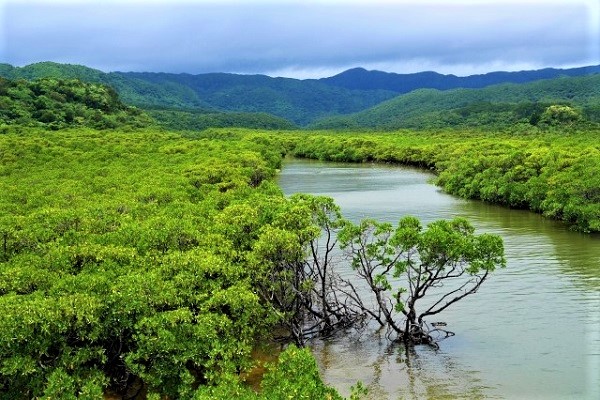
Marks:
<point>555,173</point>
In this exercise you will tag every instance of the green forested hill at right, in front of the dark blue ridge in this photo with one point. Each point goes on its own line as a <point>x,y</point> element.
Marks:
<point>498,106</point>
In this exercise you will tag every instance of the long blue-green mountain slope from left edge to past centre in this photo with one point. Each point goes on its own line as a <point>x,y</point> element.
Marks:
<point>295,100</point>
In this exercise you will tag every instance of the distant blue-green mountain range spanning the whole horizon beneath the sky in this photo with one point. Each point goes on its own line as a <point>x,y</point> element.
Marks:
<point>299,101</point>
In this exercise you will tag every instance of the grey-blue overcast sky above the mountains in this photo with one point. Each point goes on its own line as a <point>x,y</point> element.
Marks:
<point>302,39</point>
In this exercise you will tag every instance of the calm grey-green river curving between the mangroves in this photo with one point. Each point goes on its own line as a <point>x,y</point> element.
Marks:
<point>531,332</point>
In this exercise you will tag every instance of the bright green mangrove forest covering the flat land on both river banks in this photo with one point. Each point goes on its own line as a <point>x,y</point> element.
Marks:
<point>144,254</point>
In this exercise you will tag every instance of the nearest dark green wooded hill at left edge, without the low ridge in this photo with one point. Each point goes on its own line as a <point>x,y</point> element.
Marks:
<point>55,104</point>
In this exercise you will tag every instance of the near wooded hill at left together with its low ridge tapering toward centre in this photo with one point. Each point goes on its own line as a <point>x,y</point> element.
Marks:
<point>59,103</point>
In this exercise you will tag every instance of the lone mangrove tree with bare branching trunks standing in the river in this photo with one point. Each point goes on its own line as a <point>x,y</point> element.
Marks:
<point>400,265</point>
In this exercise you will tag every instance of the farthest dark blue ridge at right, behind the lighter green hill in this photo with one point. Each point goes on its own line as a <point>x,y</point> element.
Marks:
<point>361,79</point>
